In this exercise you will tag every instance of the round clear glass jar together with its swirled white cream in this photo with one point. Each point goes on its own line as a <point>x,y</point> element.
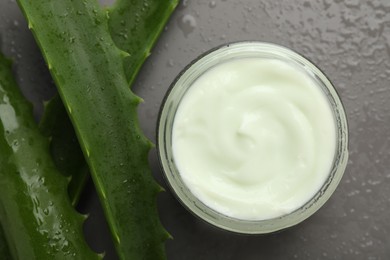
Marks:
<point>252,137</point>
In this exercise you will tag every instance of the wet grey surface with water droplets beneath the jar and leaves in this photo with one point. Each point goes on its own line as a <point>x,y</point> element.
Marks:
<point>349,40</point>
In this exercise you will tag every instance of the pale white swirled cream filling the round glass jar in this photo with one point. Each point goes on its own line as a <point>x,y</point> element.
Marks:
<point>254,138</point>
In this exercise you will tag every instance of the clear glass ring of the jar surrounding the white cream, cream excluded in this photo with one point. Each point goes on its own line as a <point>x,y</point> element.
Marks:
<point>166,120</point>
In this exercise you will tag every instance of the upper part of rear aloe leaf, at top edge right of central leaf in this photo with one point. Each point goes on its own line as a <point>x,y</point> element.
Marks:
<point>135,27</point>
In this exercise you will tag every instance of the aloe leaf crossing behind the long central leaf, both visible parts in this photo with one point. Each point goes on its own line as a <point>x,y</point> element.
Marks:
<point>145,27</point>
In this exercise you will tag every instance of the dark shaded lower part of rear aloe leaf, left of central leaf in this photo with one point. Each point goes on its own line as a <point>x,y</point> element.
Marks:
<point>64,147</point>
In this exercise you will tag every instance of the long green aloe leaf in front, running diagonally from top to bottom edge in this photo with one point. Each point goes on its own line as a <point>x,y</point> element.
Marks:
<point>88,70</point>
